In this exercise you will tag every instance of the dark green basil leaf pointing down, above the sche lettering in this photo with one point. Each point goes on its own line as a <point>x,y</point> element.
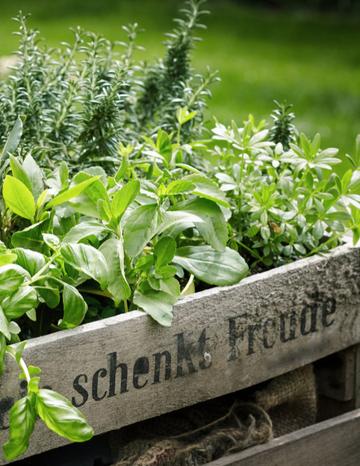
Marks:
<point>75,307</point>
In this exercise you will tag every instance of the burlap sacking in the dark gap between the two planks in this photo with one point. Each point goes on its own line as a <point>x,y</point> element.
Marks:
<point>198,435</point>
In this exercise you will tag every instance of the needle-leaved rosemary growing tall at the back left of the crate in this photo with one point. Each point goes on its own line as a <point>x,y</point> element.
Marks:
<point>80,101</point>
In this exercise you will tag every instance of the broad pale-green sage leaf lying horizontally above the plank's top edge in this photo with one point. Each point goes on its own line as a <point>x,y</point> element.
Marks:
<point>210,266</point>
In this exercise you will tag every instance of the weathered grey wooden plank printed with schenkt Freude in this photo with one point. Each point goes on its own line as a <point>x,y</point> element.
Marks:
<point>126,369</point>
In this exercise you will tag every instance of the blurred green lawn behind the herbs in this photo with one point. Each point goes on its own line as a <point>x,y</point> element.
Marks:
<point>307,57</point>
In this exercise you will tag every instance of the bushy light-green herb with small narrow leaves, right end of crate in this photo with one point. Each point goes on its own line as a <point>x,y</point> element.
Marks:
<point>286,203</point>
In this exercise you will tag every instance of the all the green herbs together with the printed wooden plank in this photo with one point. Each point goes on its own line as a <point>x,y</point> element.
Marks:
<point>128,227</point>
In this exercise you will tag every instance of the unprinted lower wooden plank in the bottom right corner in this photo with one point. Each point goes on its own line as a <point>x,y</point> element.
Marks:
<point>335,442</point>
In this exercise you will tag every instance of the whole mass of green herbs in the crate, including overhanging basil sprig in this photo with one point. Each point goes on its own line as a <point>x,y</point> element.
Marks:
<point>114,198</point>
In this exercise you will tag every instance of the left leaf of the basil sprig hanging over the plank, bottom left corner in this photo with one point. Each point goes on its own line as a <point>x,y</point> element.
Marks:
<point>22,422</point>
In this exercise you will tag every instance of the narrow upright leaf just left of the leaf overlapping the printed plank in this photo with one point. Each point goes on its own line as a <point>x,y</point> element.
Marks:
<point>113,251</point>
